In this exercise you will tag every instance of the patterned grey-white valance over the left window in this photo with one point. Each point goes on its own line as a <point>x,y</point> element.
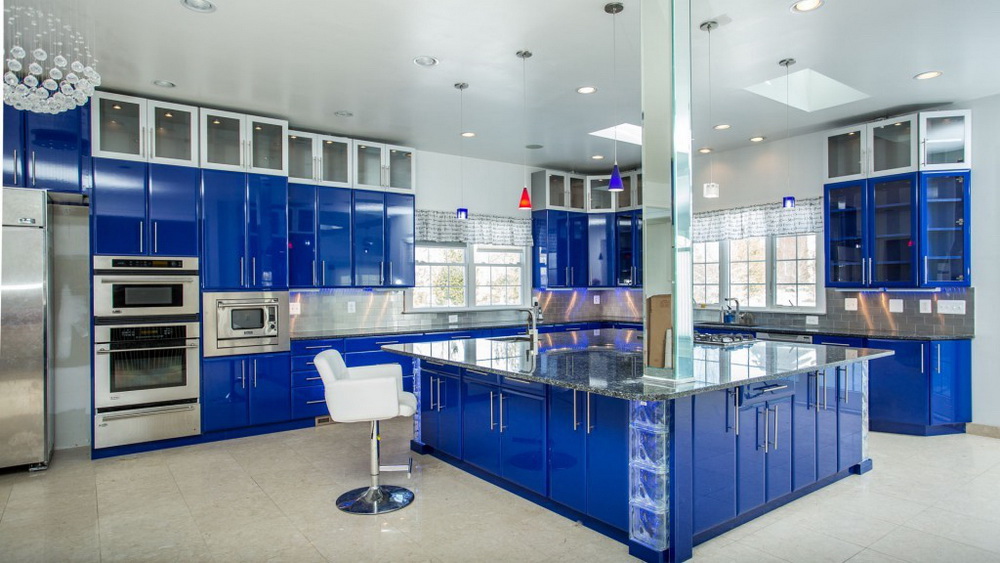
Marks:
<point>479,228</point>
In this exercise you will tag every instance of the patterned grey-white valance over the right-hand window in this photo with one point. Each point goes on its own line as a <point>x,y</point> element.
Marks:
<point>759,220</point>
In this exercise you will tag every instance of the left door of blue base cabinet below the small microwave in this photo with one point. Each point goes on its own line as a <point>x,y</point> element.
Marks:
<point>224,394</point>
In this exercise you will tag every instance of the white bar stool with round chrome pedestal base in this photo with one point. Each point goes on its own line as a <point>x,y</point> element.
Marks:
<point>368,393</point>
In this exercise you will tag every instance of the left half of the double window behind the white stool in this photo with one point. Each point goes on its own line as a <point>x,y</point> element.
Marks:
<point>440,277</point>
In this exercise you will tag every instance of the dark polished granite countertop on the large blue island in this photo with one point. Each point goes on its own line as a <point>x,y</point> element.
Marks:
<point>609,362</point>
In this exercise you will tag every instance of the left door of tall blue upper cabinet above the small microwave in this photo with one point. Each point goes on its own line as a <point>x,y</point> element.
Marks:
<point>224,228</point>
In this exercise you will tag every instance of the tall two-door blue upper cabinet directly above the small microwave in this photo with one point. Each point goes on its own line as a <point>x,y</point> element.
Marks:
<point>244,232</point>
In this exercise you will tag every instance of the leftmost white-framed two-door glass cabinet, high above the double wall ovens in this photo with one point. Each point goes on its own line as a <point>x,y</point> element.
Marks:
<point>130,128</point>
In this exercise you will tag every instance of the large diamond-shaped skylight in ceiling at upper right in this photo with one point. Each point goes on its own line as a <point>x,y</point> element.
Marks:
<point>807,90</point>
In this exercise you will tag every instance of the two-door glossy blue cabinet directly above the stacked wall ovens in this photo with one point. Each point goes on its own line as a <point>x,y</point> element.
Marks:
<point>144,209</point>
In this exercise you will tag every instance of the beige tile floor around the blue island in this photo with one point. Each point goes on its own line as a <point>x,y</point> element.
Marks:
<point>270,498</point>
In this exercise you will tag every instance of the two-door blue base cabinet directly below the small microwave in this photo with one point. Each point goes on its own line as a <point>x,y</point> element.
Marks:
<point>239,391</point>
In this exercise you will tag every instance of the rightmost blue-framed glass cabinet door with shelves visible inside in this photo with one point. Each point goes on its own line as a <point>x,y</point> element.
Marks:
<point>945,234</point>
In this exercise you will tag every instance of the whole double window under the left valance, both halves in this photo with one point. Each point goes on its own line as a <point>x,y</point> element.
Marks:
<point>468,276</point>
